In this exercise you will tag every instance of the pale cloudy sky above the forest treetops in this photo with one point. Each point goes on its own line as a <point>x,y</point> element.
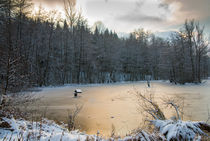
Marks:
<point>127,15</point>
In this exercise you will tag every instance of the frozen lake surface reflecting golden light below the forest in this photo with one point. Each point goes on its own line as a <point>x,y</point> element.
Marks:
<point>114,104</point>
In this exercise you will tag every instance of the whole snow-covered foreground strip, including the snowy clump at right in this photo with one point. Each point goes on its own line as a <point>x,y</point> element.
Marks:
<point>47,130</point>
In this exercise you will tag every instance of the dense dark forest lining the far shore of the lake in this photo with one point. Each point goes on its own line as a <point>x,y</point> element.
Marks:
<point>40,50</point>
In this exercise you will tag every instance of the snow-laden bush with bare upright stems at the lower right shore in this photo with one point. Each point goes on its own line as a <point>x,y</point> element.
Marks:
<point>175,129</point>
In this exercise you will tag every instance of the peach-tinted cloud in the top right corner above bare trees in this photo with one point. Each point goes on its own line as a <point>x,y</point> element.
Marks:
<point>190,9</point>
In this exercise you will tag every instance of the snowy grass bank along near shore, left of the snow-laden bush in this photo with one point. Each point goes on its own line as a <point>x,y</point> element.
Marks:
<point>47,130</point>
